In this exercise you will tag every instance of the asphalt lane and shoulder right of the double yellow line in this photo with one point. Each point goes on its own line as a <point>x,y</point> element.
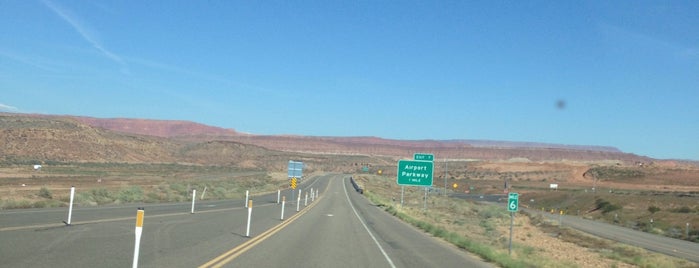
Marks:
<point>346,230</point>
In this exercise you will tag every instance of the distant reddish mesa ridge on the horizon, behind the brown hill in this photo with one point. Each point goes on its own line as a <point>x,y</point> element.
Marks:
<point>456,149</point>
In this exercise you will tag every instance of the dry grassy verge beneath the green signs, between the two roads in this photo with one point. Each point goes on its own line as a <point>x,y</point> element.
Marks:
<point>484,230</point>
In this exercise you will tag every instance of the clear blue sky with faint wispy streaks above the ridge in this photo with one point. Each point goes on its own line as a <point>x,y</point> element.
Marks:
<point>610,73</point>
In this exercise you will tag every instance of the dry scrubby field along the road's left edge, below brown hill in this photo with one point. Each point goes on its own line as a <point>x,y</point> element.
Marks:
<point>108,183</point>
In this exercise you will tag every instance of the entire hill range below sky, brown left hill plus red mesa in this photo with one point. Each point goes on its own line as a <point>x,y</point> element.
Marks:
<point>75,137</point>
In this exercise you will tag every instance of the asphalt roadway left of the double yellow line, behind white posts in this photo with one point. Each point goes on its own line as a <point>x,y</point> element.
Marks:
<point>104,236</point>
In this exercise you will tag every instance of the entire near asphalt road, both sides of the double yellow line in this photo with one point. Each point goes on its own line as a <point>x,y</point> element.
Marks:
<point>340,229</point>
